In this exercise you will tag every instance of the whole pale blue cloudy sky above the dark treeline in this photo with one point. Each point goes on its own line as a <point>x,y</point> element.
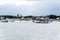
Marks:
<point>29,7</point>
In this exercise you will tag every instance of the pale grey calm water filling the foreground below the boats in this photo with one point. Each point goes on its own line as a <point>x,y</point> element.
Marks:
<point>29,31</point>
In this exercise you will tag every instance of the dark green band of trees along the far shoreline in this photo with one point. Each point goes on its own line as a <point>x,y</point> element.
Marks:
<point>33,17</point>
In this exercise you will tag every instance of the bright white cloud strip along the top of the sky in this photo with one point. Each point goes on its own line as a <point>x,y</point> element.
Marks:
<point>17,2</point>
